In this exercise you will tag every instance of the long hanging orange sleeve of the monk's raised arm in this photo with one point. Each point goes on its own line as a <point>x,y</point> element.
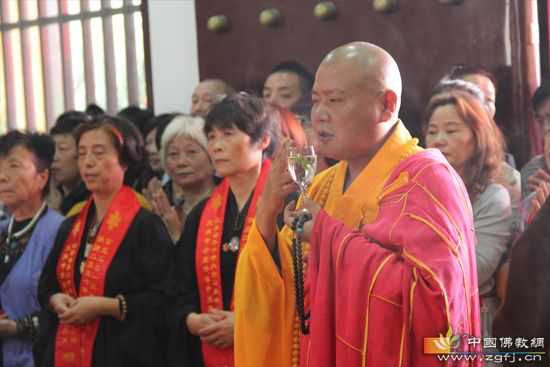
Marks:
<point>265,295</point>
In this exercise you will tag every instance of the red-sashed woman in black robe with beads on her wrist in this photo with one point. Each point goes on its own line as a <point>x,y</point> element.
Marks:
<point>104,280</point>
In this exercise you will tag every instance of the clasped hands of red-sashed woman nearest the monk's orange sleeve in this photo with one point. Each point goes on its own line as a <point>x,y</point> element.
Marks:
<point>214,328</point>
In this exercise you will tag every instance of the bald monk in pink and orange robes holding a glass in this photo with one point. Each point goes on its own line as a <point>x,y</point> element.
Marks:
<point>392,257</point>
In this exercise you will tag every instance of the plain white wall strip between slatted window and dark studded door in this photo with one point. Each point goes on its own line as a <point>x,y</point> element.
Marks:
<point>174,55</point>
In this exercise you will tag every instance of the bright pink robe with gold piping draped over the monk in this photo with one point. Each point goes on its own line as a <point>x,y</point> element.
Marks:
<point>374,296</point>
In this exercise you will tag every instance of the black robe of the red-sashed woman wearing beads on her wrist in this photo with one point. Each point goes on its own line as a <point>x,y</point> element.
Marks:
<point>139,271</point>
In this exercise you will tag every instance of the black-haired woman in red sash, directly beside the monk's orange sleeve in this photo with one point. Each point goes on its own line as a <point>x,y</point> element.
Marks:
<point>240,129</point>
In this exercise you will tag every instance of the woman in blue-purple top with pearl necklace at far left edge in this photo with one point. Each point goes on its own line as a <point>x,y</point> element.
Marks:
<point>25,240</point>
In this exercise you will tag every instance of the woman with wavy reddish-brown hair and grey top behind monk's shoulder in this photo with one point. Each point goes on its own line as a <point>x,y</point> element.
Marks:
<point>459,126</point>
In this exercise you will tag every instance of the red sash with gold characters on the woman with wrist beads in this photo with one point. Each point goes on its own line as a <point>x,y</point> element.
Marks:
<point>74,344</point>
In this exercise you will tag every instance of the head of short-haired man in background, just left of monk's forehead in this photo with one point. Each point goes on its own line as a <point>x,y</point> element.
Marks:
<point>287,83</point>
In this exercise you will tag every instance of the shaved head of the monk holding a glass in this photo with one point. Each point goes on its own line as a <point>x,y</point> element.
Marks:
<point>356,100</point>
